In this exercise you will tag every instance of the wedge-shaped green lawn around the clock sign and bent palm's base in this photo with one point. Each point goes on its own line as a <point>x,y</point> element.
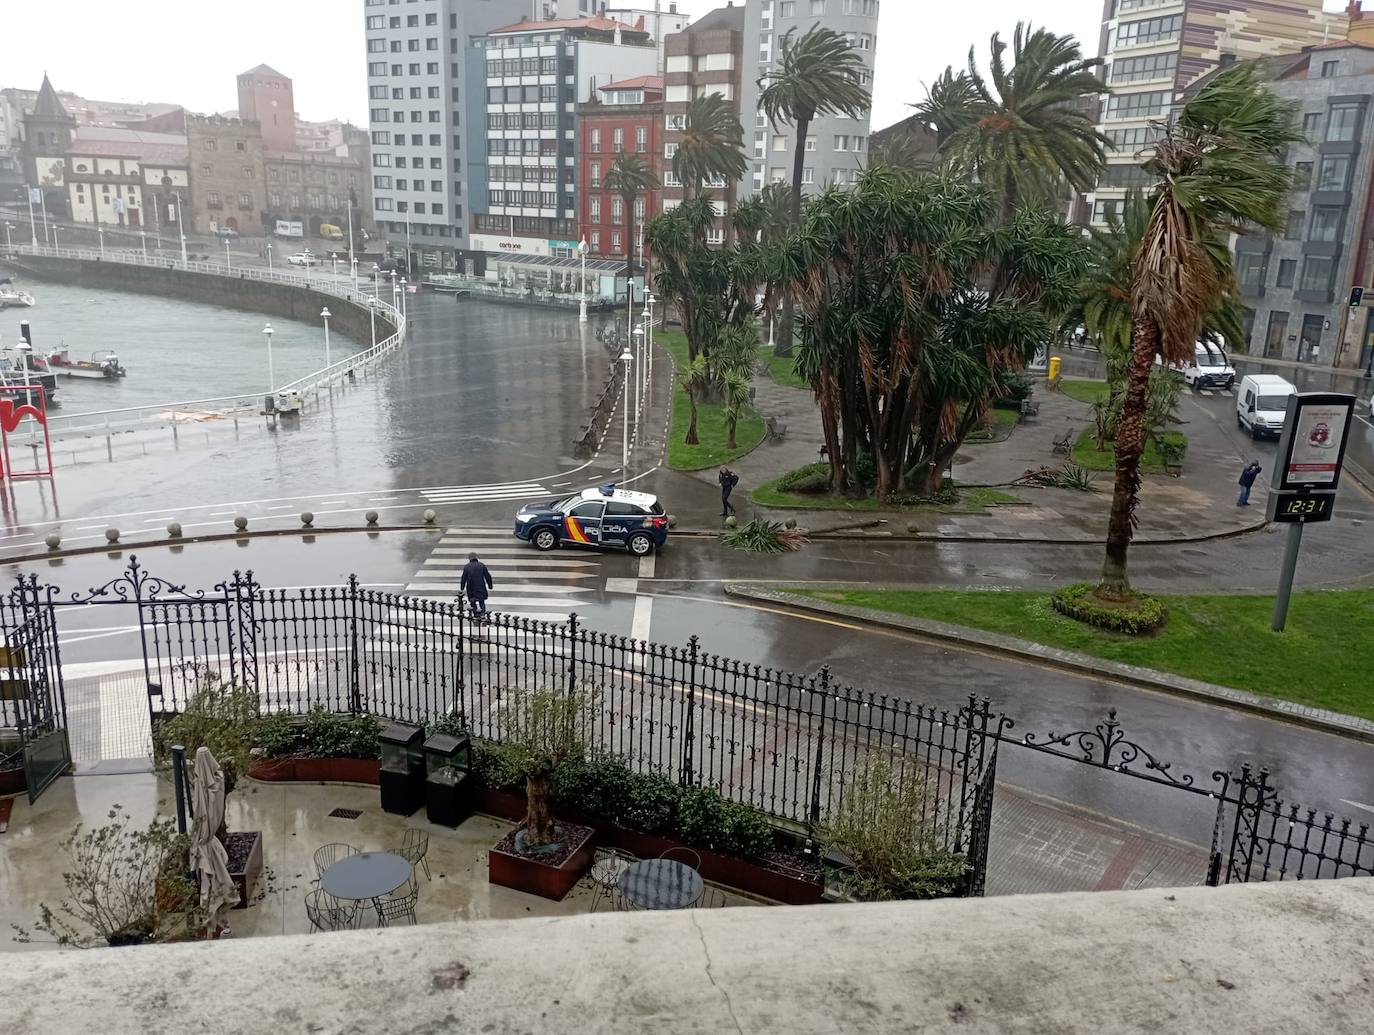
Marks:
<point>1322,659</point>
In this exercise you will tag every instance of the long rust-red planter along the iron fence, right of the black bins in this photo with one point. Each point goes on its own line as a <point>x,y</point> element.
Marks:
<point>750,878</point>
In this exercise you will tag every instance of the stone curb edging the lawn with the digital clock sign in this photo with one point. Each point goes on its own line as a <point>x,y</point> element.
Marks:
<point>1349,726</point>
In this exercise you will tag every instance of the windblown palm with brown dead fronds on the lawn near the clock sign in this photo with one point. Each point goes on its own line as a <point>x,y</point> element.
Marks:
<point>1218,171</point>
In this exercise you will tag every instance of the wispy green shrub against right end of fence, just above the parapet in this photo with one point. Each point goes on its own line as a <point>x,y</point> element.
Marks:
<point>879,849</point>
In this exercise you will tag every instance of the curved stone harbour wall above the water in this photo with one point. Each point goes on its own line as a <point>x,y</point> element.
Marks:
<point>232,291</point>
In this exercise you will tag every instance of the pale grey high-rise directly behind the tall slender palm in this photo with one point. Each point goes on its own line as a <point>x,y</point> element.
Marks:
<point>836,145</point>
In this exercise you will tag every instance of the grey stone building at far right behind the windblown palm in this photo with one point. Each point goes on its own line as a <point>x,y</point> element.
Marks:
<point>1296,285</point>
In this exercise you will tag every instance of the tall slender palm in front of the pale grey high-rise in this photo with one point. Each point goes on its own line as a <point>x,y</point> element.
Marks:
<point>818,74</point>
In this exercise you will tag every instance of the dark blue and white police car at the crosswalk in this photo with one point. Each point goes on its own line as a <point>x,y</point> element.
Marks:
<point>604,517</point>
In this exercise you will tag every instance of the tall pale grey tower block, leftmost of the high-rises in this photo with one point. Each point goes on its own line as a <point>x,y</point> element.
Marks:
<point>417,80</point>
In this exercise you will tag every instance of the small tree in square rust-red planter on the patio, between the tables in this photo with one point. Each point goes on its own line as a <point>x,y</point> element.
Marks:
<point>543,856</point>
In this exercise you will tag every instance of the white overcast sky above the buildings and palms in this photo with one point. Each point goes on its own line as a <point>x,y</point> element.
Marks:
<point>190,52</point>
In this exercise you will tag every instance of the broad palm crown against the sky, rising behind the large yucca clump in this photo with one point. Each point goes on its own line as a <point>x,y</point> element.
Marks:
<point>1033,129</point>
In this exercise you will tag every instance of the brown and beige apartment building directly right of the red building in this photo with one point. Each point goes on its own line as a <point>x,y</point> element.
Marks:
<point>706,58</point>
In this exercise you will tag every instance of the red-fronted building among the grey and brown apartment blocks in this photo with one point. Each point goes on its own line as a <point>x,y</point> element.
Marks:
<point>627,118</point>
